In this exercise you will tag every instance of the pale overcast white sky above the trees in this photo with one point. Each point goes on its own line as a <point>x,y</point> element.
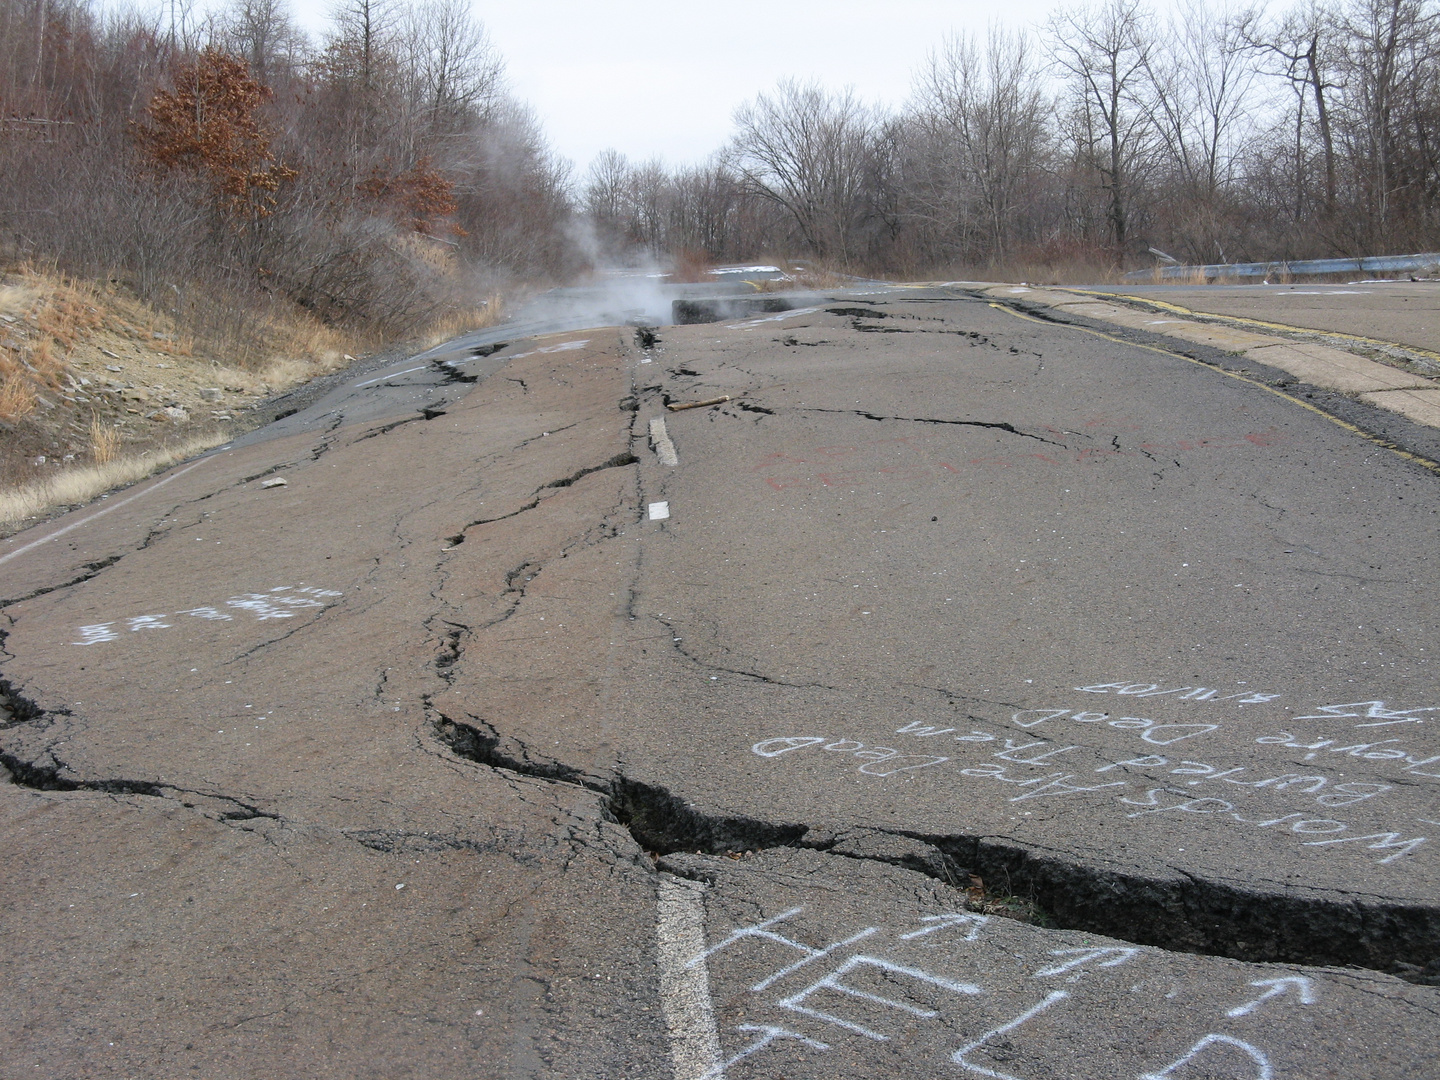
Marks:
<point>657,78</point>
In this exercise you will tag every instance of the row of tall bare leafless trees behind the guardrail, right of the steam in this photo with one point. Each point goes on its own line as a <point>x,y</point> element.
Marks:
<point>1212,135</point>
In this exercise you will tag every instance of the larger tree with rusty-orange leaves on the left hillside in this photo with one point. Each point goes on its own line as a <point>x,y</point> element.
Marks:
<point>210,127</point>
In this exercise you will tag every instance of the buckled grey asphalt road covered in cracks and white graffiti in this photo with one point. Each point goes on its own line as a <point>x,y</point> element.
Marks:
<point>447,758</point>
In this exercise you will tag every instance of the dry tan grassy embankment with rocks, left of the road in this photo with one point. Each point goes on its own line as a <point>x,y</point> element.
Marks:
<point>100,391</point>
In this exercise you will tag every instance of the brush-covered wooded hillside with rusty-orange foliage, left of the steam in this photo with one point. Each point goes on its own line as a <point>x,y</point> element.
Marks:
<point>368,176</point>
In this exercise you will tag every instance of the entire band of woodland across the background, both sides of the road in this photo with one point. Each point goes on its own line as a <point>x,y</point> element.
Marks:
<point>378,174</point>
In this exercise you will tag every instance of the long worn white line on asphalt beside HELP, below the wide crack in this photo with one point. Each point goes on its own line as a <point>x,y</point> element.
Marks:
<point>685,991</point>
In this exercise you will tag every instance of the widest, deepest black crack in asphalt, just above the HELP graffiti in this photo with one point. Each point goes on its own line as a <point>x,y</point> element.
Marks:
<point>1180,912</point>
